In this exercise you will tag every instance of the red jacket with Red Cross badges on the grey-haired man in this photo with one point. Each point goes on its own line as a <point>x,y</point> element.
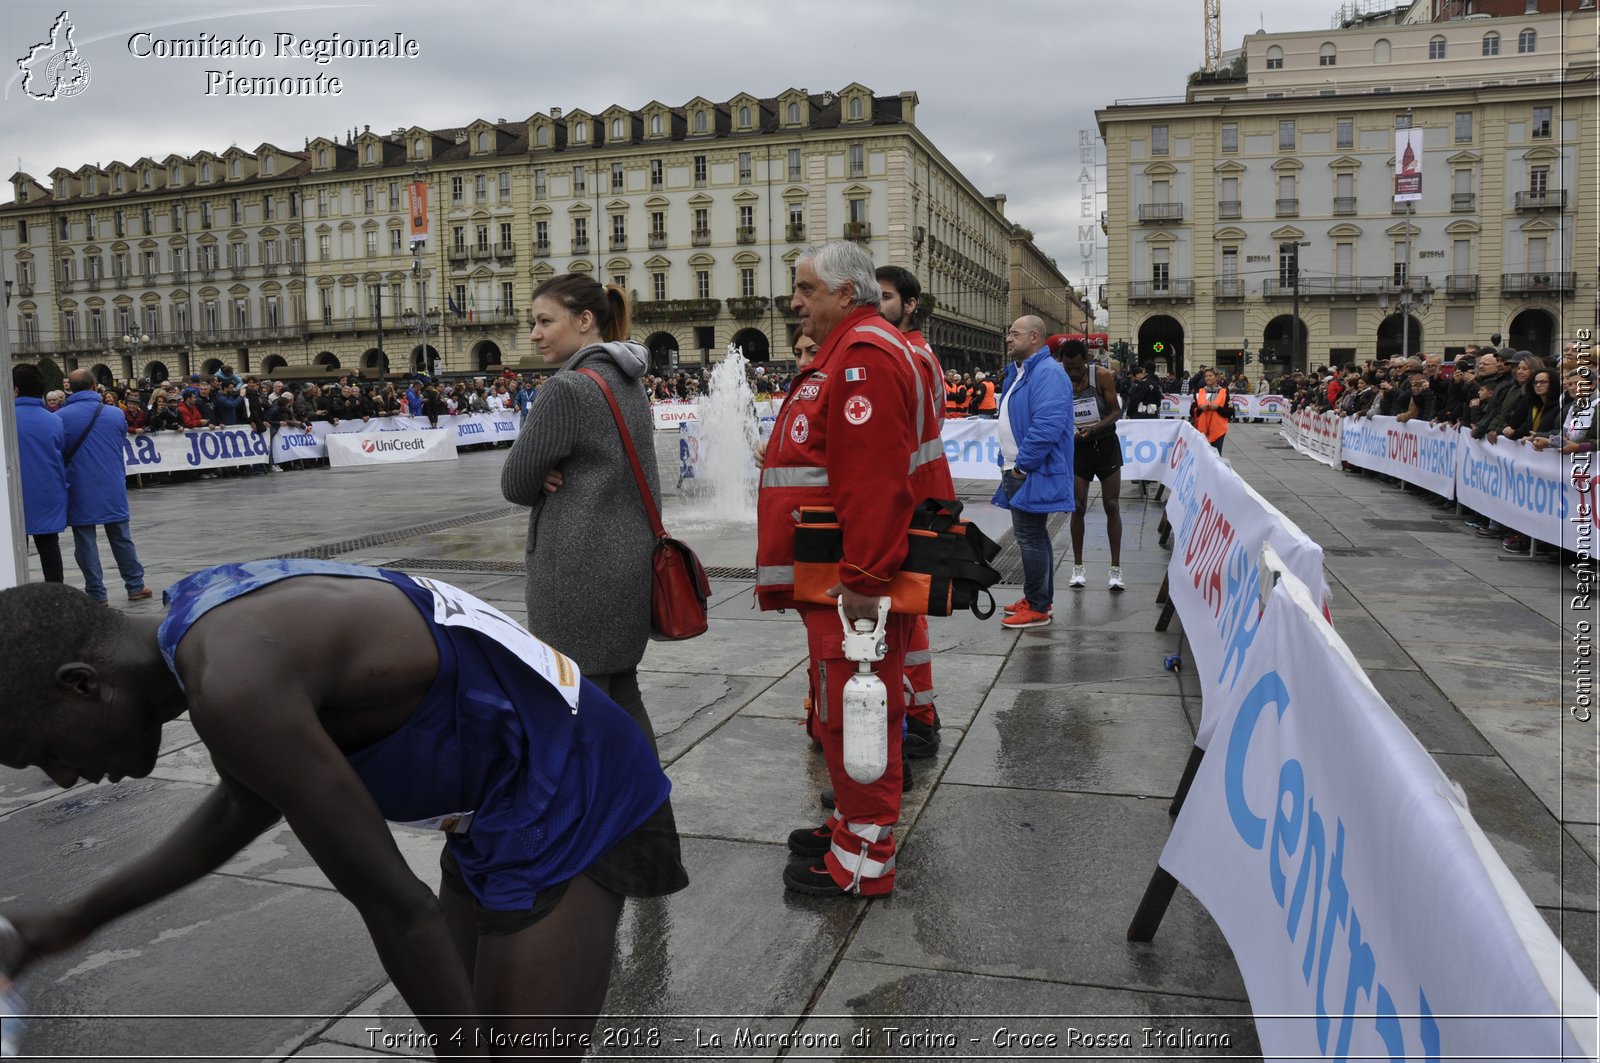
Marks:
<point>846,438</point>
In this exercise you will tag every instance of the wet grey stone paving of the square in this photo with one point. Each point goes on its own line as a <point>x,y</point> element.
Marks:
<point>1026,841</point>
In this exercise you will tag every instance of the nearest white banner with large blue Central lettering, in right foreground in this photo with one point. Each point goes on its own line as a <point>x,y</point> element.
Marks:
<point>1369,913</point>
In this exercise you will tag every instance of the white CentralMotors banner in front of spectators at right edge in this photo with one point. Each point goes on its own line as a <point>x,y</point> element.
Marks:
<point>1529,491</point>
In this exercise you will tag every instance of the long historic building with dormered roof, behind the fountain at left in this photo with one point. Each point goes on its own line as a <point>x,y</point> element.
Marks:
<point>287,259</point>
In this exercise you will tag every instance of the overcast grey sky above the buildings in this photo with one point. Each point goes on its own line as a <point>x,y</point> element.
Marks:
<point>1006,87</point>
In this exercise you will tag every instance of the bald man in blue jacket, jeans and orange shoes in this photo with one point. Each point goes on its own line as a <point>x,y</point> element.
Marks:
<point>1036,463</point>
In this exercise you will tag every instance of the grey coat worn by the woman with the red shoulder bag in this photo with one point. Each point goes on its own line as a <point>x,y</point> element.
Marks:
<point>588,544</point>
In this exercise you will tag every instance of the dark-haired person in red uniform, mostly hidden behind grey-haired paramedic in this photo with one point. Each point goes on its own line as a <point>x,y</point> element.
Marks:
<point>932,479</point>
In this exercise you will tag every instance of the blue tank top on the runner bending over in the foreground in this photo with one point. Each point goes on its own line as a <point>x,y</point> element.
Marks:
<point>550,787</point>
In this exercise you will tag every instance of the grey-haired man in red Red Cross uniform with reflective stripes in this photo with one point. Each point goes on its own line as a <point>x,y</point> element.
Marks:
<point>846,438</point>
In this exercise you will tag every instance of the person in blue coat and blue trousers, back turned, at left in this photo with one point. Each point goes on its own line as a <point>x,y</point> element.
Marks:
<point>98,487</point>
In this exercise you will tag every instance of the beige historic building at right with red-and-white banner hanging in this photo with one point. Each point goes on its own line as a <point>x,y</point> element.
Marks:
<point>1257,215</point>
